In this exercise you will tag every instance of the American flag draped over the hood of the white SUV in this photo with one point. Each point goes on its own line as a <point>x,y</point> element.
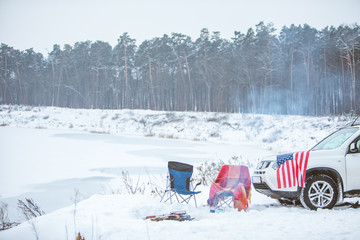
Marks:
<point>292,169</point>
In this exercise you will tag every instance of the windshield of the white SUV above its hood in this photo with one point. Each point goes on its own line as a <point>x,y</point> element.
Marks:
<point>336,139</point>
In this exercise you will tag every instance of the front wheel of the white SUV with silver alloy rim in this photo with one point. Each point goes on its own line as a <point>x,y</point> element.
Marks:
<point>320,192</point>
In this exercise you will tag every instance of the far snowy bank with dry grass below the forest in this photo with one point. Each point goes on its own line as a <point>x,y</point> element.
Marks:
<point>278,132</point>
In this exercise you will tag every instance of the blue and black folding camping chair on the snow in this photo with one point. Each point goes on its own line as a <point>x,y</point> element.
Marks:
<point>178,183</point>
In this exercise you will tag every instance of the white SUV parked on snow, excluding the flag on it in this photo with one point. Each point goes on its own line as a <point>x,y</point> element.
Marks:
<point>332,173</point>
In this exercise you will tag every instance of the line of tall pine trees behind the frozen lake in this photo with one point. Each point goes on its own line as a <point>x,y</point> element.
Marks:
<point>297,70</point>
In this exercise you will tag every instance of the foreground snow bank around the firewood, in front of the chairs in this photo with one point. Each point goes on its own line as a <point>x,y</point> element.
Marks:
<point>114,217</point>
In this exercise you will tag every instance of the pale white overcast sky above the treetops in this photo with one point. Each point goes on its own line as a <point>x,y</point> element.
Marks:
<point>42,23</point>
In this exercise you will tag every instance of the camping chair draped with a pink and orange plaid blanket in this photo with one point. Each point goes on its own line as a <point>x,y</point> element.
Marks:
<point>232,185</point>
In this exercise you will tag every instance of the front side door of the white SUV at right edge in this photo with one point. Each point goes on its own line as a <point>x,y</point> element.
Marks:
<point>353,167</point>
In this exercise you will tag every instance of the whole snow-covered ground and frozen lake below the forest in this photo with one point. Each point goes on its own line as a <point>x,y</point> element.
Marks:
<point>71,163</point>
